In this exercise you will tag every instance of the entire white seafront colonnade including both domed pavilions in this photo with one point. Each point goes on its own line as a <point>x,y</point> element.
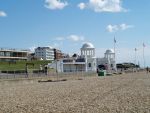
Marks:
<point>86,61</point>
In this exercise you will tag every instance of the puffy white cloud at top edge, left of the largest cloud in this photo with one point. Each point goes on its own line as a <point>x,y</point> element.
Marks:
<point>55,4</point>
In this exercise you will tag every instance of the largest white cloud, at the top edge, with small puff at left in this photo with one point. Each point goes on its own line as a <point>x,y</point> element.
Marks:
<point>103,5</point>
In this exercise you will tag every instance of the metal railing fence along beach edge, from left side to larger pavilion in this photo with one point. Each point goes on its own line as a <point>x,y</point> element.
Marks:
<point>32,74</point>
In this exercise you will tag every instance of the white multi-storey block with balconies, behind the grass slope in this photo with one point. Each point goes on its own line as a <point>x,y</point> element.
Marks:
<point>44,53</point>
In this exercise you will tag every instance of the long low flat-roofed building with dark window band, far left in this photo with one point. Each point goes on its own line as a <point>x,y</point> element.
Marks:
<point>13,54</point>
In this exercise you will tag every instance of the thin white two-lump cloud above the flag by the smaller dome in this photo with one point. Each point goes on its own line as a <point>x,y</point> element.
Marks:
<point>114,28</point>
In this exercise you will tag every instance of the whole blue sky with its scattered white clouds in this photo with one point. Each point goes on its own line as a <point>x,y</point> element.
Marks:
<point>67,24</point>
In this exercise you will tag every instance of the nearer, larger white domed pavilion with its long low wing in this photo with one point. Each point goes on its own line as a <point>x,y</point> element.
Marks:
<point>85,62</point>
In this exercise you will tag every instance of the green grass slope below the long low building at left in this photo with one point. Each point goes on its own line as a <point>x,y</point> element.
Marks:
<point>21,65</point>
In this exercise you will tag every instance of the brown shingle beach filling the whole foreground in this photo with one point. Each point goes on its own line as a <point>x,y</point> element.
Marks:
<point>126,93</point>
